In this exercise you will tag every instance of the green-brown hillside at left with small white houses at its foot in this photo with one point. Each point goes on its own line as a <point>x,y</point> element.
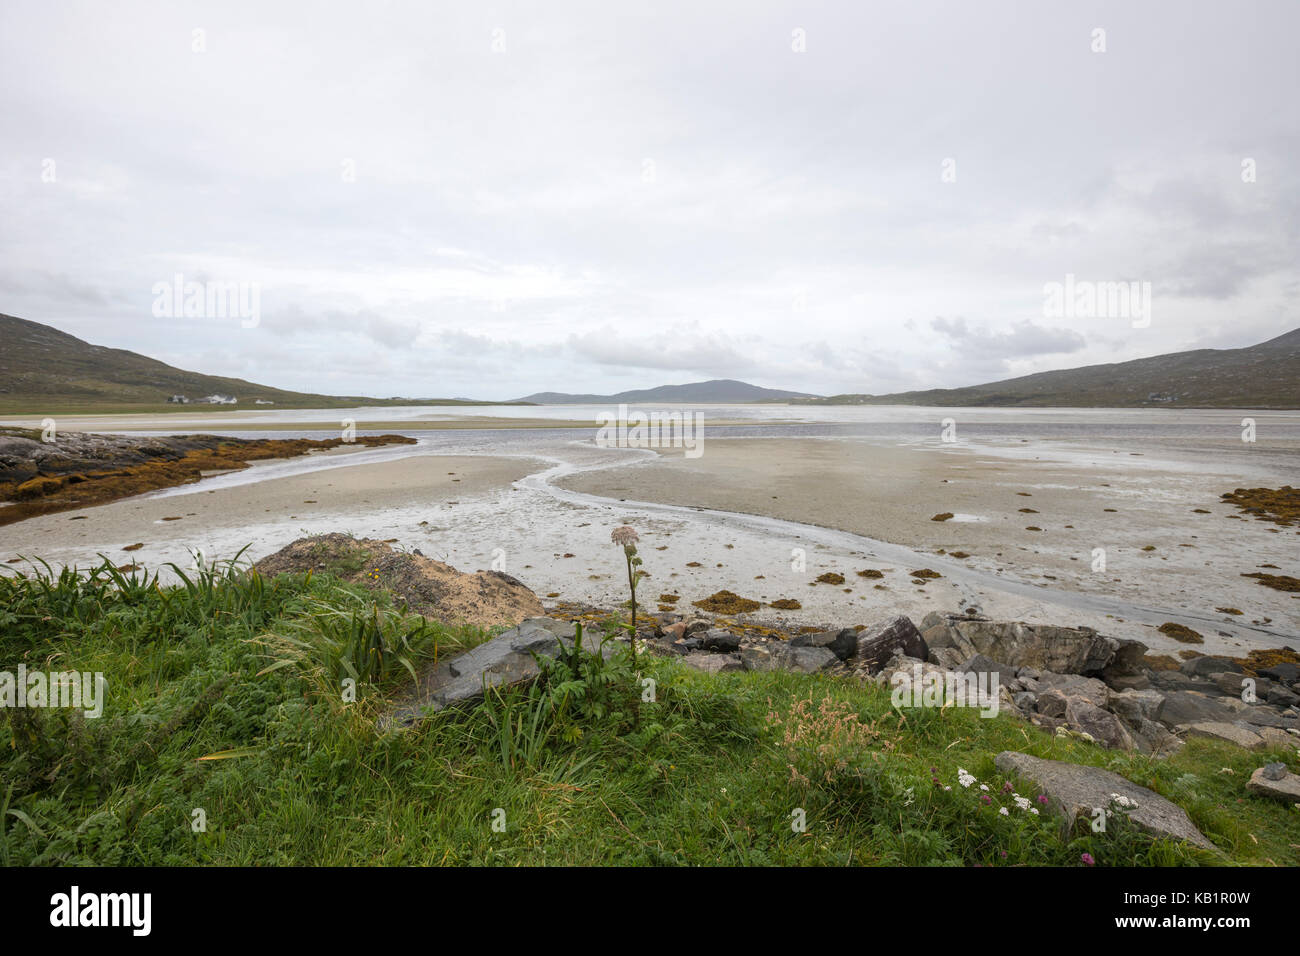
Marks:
<point>44,369</point>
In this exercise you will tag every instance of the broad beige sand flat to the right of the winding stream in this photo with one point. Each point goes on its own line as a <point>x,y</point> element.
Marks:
<point>1158,551</point>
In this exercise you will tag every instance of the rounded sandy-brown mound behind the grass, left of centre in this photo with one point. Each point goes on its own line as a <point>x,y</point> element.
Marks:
<point>431,589</point>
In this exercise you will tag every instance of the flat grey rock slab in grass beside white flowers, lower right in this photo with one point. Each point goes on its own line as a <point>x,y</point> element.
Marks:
<point>1074,790</point>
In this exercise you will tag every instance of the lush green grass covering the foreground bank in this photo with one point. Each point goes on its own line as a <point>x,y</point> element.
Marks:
<point>227,697</point>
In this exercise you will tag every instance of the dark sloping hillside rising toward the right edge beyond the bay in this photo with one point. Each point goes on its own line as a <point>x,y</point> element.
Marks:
<point>1262,377</point>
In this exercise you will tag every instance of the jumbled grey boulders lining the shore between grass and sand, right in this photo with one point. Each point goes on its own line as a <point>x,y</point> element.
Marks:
<point>1065,680</point>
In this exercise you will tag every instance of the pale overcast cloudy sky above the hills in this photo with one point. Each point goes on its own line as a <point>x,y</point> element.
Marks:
<point>491,200</point>
